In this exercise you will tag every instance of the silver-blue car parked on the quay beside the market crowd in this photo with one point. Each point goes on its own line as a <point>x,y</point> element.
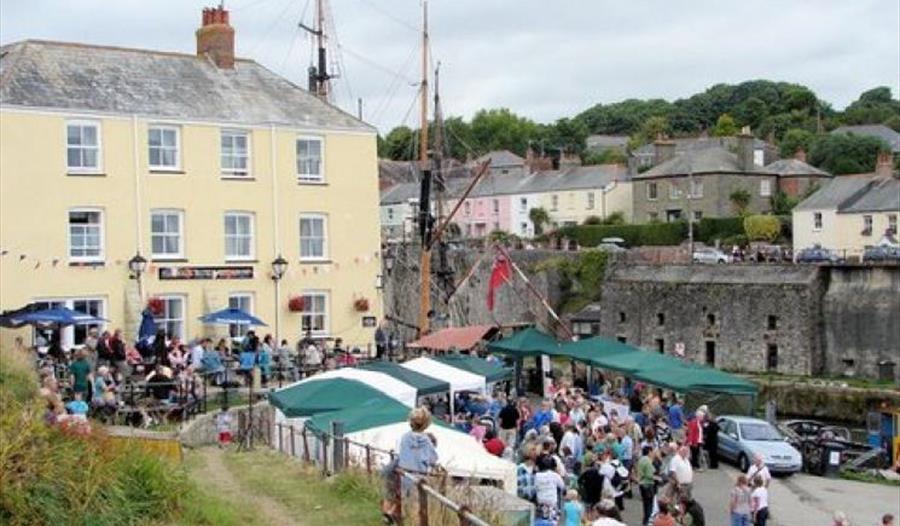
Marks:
<point>741,438</point>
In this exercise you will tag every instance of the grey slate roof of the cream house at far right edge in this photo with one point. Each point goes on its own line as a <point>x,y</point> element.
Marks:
<point>855,194</point>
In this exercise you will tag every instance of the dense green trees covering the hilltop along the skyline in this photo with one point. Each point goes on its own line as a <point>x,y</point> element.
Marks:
<point>789,114</point>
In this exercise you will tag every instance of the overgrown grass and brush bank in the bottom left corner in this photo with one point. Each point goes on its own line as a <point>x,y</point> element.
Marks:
<point>53,475</point>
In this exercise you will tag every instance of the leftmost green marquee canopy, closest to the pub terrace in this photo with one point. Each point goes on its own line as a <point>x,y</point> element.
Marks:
<point>319,396</point>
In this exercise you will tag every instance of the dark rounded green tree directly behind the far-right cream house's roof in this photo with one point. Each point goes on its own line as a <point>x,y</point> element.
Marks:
<point>846,153</point>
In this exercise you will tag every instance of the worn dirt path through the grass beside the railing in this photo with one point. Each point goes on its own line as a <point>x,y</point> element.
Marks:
<point>214,473</point>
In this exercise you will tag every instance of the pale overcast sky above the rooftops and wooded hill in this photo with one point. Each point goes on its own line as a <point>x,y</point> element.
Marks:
<point>541,58</point>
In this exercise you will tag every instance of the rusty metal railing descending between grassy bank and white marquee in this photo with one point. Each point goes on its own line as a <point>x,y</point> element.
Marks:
<point>313,446</point>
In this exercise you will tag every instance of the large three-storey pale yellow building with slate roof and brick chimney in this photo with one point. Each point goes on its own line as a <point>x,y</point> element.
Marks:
<point>210,167</point>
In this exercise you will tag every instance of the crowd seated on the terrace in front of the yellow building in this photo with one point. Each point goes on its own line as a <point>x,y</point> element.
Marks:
<point>157,378</point>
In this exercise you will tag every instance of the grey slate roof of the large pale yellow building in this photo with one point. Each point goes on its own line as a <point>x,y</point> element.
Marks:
<point>111,80</point>
